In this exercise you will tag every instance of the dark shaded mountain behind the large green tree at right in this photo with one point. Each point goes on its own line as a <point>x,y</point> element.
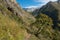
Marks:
<point>51,9</point>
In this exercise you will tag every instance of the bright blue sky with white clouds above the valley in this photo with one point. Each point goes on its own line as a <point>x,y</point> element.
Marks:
<point>32,3</point>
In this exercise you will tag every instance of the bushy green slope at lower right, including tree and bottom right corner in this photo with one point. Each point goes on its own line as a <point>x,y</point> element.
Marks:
<point>43,29</point>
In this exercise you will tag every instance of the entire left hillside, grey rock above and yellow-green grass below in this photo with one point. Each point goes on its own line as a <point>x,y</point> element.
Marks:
<point>12,20</point>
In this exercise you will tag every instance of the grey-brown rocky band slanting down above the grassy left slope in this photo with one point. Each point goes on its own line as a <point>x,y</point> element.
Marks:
<point>15,8</point>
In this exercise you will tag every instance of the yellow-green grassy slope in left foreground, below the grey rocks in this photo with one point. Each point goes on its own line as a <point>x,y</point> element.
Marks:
<point>9,27</point>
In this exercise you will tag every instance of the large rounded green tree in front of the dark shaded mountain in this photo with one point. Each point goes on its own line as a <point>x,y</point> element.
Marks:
<point>42,26</point>
